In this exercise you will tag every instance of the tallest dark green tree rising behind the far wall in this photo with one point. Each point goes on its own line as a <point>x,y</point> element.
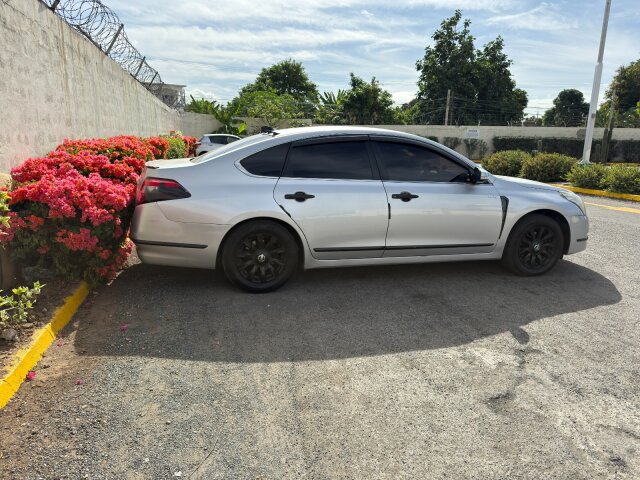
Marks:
<point>481,82</point>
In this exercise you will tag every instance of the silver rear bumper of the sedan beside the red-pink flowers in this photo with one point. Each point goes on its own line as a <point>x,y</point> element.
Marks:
<point>160,241</point>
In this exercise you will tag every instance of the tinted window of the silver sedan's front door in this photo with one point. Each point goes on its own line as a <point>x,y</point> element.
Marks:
<point>412,163</point>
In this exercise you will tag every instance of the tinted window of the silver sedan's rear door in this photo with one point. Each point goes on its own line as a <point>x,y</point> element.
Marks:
<point>339,160</point>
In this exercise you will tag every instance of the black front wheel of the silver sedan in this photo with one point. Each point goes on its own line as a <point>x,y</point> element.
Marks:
<point>534,246</point>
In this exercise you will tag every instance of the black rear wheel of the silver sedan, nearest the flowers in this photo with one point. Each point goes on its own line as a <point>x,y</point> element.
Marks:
<point>259,256</point>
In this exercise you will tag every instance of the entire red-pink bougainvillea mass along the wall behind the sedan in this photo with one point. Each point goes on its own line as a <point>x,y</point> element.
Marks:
<point>70,210</point>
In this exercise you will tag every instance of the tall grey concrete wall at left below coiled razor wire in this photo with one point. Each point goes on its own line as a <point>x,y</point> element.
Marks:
<point>55,84</point>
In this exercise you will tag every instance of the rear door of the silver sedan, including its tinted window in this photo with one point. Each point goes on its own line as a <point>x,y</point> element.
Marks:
<point>331,188</point>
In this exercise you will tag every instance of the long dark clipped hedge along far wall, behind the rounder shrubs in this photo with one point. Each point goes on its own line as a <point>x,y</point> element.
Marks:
<point>629,150</point>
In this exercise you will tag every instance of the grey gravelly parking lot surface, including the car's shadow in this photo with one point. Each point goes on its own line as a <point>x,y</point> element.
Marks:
<point>426,371</point>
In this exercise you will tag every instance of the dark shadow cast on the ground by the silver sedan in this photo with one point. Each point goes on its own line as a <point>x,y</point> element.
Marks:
<point>327,314</point>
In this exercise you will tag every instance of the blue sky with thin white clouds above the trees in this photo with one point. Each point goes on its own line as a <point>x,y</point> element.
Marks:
<point>216,47</point>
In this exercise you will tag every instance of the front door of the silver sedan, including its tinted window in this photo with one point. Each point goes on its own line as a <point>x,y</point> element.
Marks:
<point>434,209</point>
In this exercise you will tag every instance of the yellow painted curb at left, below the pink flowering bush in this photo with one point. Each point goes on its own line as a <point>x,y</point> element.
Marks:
<point>29,356</point>
